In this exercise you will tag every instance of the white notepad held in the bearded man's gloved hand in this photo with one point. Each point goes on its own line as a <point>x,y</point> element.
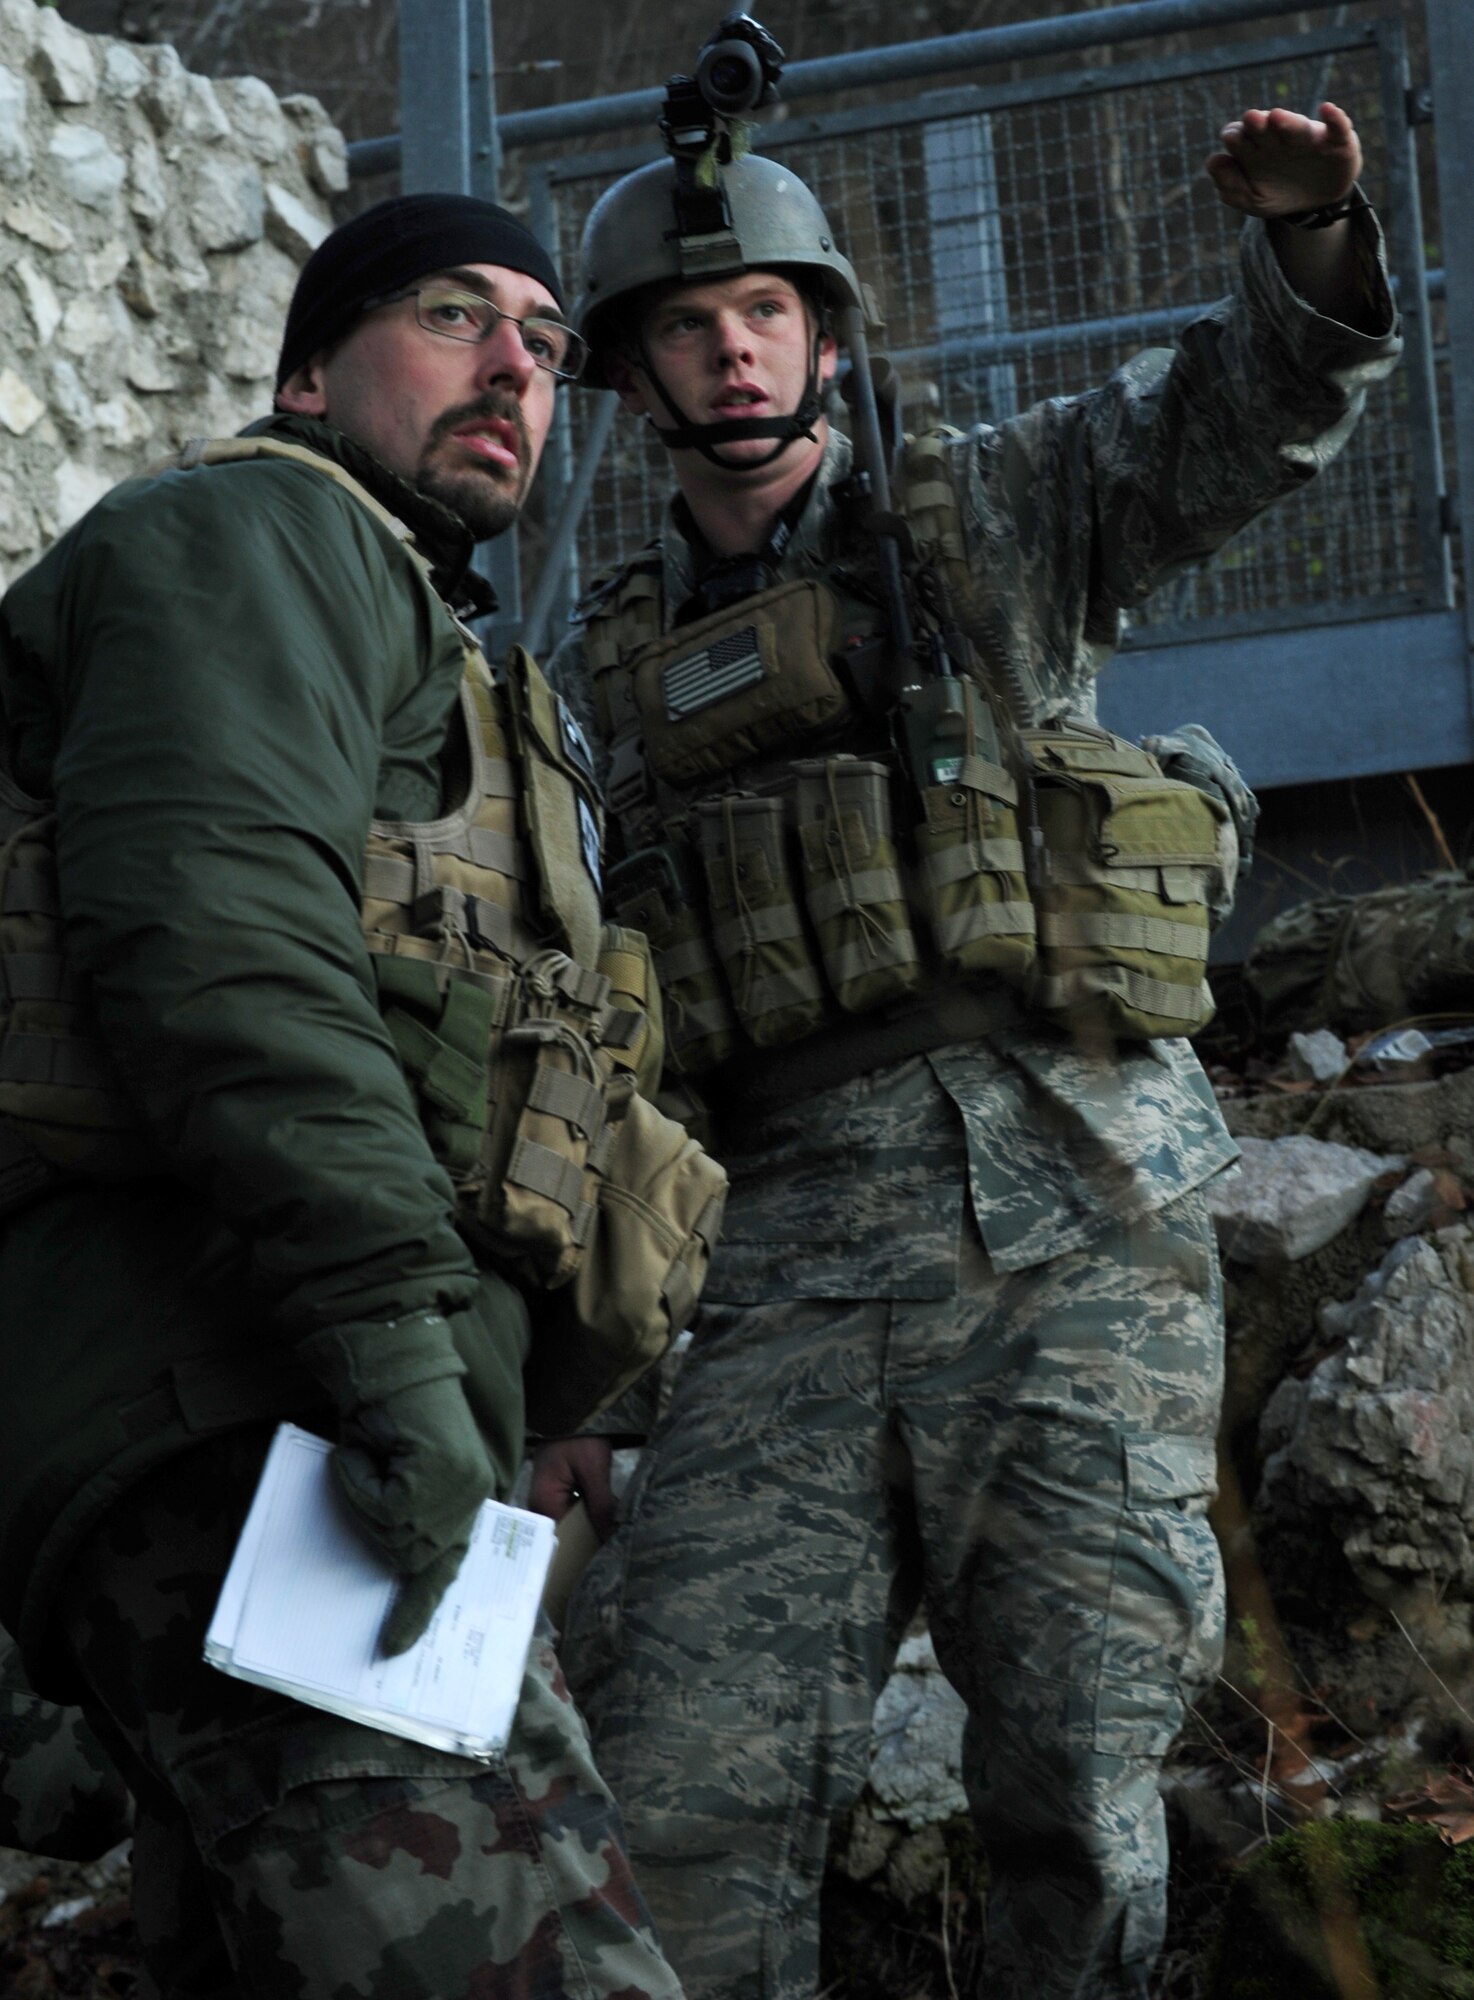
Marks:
<point>307,1597</point>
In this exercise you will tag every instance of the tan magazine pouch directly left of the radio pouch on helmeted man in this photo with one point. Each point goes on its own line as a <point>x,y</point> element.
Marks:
<point>853,887</point>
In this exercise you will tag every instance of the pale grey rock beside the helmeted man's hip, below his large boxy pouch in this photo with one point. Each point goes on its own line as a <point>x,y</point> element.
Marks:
<point>1291,1197</point>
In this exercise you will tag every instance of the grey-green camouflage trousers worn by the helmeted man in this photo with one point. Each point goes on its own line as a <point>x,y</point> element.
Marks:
<point>1031,1461</point>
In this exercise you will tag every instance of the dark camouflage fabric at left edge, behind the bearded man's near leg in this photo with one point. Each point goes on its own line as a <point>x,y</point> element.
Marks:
<point>59,1791</point>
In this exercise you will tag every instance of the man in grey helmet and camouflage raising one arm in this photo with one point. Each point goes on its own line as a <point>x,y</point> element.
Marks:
<point>963,1339</point>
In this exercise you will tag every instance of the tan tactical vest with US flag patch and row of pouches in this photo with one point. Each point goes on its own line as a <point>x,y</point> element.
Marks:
<point>791,875</point>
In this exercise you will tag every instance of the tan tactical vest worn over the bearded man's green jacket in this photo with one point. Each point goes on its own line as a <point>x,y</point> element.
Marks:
<point>523,1021</point>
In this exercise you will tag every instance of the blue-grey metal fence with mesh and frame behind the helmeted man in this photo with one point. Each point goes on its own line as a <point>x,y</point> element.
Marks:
<point>1027,237</point>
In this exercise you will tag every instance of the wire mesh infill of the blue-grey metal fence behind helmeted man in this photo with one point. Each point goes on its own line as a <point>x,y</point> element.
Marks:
<point>1029,239</point>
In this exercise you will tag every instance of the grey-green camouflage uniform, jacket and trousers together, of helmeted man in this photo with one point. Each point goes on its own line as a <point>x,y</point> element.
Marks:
<point>1017,1431</point>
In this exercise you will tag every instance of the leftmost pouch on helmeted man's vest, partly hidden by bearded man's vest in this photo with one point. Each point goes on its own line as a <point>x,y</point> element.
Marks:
<point>657,893</point>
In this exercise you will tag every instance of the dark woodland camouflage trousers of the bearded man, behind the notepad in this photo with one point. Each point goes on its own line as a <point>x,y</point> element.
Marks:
<point>289,1855</point>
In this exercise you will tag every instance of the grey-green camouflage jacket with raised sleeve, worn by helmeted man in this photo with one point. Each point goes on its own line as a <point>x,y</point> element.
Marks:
<point>1075,513</point>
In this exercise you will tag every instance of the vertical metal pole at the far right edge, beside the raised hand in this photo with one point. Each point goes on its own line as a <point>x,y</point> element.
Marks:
<point>1451,55</point>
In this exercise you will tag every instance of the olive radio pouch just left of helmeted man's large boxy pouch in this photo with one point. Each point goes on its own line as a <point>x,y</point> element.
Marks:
<point>971,861</point>
